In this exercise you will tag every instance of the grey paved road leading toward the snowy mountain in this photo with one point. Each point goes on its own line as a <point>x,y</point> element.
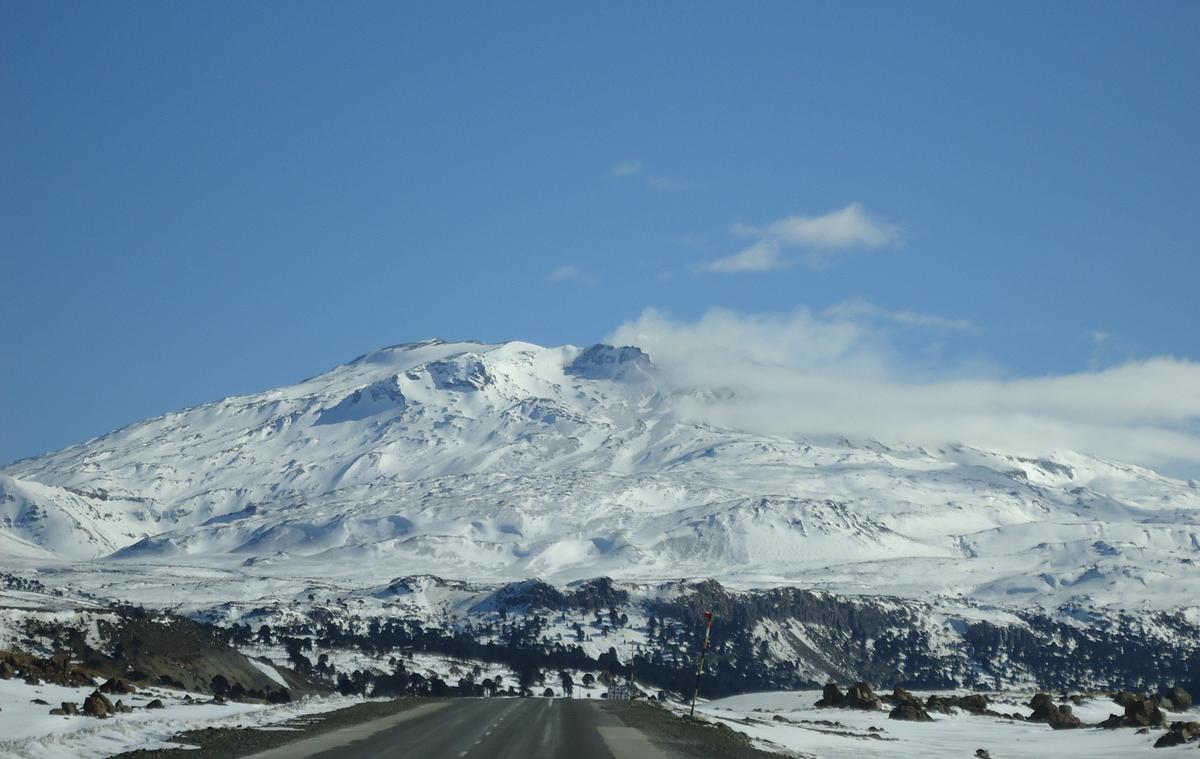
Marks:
<point>484,730</point>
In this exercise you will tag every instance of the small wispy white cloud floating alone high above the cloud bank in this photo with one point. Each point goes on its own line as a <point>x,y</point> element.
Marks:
<point>819,241</point>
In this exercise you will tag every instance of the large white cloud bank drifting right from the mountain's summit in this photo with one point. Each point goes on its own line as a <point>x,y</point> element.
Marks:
<point>836,374</point>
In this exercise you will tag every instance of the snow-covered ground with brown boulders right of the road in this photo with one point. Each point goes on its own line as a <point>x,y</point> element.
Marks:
<point>807,731</point>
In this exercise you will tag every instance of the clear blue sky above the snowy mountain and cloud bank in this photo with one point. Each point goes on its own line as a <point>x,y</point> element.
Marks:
<point>202,200</point>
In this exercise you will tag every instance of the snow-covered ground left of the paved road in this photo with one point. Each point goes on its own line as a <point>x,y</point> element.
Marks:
<point>28,731</point>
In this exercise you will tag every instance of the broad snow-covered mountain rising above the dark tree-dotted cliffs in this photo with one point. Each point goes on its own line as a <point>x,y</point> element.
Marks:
<point>502,462</point>
